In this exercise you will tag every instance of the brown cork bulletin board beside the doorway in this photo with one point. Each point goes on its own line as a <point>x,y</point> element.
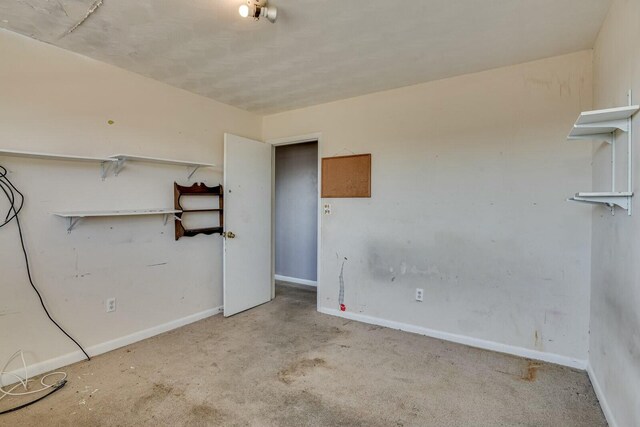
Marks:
<point>346,176</point>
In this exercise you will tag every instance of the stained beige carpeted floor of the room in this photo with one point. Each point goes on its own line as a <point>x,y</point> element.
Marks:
<point>284,364</point>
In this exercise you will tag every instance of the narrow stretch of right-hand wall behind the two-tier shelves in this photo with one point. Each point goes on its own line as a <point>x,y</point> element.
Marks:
<point>615,297</point>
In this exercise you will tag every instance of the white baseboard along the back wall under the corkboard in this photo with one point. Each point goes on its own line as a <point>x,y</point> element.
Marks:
<point>462,339</point>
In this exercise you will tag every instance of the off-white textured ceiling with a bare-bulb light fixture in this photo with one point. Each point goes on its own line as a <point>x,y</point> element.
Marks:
<point>317,51</point>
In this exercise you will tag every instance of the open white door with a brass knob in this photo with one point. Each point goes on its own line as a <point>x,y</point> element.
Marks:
<point>247,275</point>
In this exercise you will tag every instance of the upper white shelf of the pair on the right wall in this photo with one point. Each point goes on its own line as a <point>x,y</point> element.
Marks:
<point>600,124</point>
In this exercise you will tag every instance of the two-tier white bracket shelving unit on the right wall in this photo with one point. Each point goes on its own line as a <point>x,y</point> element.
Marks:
<point>602,125</point>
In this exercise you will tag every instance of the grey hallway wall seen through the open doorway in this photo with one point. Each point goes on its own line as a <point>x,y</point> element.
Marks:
<point>296,211</point>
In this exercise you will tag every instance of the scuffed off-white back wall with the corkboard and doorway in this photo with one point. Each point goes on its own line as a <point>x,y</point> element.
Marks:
<point>470,177</point>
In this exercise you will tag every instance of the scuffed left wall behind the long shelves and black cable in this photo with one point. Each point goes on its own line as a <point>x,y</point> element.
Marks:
<point>56,101</point>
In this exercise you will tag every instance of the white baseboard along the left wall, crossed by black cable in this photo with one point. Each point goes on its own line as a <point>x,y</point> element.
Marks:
<point>77,356</point>
